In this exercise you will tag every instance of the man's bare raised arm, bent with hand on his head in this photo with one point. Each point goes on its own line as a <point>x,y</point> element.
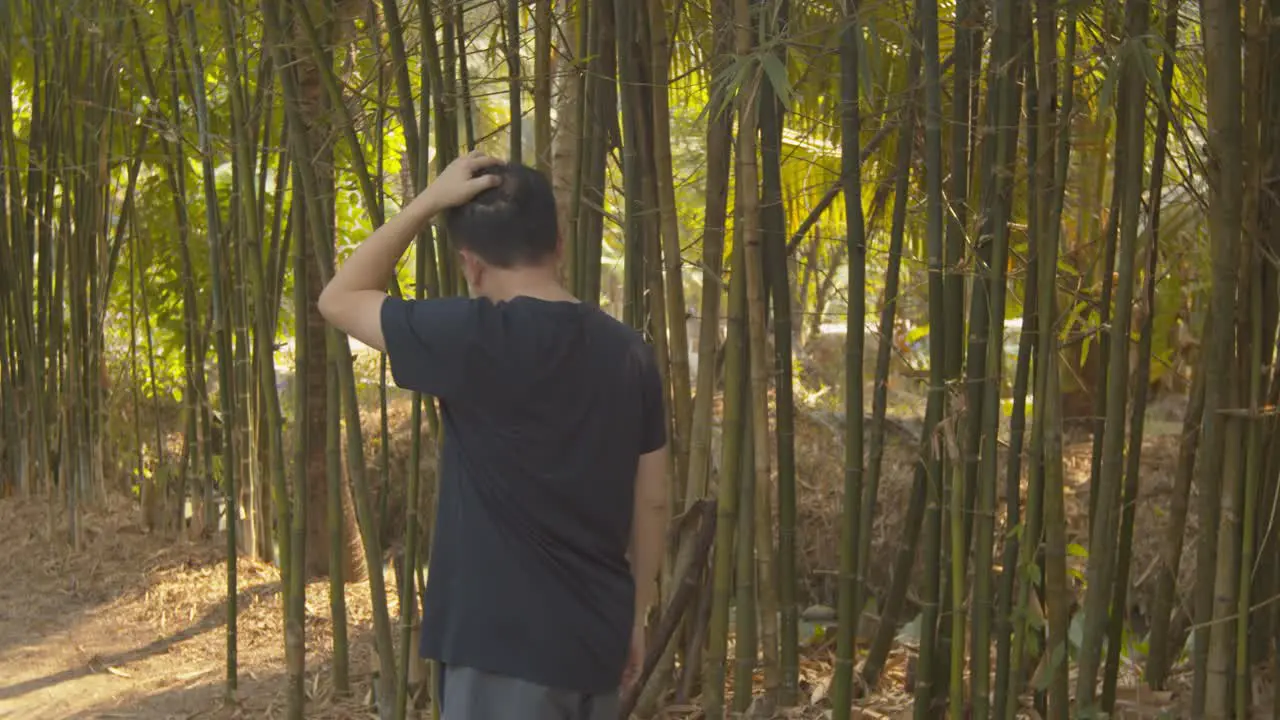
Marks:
<point>354,299</point>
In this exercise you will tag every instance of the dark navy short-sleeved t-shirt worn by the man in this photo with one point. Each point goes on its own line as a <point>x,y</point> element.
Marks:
<point>547,408</point>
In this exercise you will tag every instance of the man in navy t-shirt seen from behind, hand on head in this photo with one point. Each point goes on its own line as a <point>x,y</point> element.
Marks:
<point>552,509</point>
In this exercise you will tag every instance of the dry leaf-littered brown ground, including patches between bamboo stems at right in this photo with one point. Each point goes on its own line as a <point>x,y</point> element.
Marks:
<point>134,625</point>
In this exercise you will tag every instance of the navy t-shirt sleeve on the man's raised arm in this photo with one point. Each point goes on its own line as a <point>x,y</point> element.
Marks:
<point>428,343</point>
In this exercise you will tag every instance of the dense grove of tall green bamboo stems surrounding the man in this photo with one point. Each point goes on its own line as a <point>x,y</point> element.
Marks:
<point>1012,179</point>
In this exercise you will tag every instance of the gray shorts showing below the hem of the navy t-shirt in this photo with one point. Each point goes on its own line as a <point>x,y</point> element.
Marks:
<point>473,695</point>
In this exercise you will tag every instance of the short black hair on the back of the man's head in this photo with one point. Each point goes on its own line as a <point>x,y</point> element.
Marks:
<point>511,225</point>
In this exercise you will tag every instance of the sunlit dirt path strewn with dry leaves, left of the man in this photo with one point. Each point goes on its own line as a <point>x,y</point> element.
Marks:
<point>135,626</point>
